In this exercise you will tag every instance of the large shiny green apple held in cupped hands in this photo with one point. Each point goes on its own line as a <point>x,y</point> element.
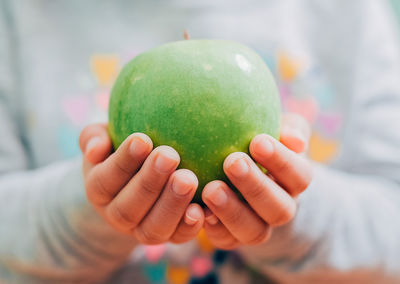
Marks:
<point>204,98</point>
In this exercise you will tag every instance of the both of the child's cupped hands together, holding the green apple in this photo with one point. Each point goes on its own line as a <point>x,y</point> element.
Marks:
<point>139,191</point>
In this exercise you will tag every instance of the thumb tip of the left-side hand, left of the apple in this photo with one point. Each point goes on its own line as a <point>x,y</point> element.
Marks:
<point>95,143</point>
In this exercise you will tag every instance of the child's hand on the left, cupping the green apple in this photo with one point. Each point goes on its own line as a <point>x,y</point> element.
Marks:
<point>139,191</point>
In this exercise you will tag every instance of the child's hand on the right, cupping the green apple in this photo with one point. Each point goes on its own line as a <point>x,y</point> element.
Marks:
<point>231,222</point>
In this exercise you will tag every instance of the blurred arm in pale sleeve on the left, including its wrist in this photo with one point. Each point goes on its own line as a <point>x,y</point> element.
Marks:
<point>49,233</point>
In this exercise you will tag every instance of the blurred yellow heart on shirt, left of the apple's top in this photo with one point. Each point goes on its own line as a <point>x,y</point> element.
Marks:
<point>105,67</point>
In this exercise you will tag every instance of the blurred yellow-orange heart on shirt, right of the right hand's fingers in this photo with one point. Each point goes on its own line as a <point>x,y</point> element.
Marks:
<point>322,149</point>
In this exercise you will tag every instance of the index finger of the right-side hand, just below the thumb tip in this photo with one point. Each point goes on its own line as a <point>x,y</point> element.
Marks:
<point>290,170</point>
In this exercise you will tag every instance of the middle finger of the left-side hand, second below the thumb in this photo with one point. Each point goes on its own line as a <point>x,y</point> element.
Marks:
<point>133,202</point>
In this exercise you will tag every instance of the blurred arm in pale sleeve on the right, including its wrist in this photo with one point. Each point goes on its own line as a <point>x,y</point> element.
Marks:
<point>347,227</point>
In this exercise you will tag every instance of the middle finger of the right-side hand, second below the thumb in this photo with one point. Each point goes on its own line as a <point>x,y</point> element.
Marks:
<point>269,200</point>
